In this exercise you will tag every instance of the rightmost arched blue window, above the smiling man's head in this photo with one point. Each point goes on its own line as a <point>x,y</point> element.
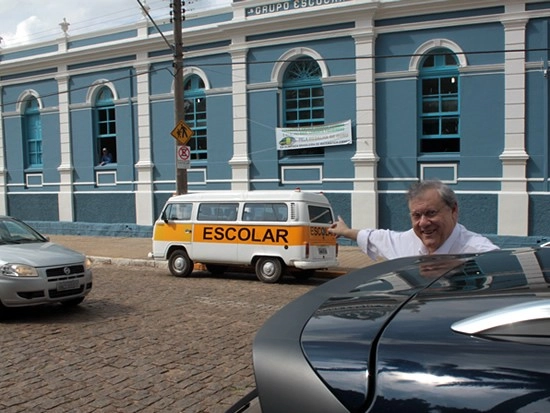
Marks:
<point>439,103</point>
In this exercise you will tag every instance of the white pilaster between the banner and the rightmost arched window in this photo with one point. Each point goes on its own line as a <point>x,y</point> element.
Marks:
<point>364,198</point>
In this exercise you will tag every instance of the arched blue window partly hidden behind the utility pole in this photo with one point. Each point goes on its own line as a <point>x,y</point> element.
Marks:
<point>195,115</point>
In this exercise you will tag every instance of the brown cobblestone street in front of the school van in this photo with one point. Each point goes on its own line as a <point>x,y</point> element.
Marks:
<point>142,341</point>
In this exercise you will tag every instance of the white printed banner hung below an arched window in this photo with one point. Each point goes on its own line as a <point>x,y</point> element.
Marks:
<point>314,136</point>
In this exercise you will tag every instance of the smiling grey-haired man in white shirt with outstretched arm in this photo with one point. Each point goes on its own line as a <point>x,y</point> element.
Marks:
<point>435,229</point>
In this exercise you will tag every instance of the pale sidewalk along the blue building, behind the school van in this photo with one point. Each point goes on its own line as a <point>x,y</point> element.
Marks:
<point>135,250</point>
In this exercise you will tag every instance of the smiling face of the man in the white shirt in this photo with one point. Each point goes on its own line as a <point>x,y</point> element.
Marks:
<point>432,220</point>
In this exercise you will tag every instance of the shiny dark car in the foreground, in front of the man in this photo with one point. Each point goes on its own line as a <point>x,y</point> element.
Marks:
<point>465,333</point>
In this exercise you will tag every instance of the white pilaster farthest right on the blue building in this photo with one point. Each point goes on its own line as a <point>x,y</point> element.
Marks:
<point>513,200</point>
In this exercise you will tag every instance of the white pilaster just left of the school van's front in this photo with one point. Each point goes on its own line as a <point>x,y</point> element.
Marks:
<point>144,166</point>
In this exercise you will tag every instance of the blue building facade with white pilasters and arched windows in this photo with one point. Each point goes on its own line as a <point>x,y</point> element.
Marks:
<point>432,89</point>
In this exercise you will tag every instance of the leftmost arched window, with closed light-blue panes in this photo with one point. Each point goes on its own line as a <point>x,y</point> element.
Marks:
<point>32,130</point>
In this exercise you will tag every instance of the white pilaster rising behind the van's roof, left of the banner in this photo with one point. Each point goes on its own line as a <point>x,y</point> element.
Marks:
<point>240,162</point>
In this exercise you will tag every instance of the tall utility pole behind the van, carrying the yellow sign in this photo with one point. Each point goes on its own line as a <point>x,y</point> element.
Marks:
<point>178,11</point>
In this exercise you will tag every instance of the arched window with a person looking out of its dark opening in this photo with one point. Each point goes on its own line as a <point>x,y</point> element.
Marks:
<point>105,121</point>
